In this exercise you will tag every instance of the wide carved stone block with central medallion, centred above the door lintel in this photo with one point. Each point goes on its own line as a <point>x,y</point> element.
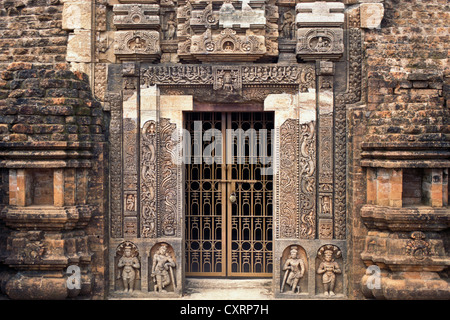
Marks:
<point>227,31</point>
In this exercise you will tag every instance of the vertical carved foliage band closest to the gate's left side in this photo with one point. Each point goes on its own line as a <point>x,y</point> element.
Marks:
<point>168,179</point>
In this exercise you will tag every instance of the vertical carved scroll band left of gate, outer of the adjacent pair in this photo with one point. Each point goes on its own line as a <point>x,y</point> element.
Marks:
<point>149,180</point>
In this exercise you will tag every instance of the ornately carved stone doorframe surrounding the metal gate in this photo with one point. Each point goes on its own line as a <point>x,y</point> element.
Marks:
<point>149,110</point>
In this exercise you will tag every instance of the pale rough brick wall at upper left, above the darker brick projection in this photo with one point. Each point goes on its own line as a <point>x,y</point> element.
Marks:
<point>30,31</point>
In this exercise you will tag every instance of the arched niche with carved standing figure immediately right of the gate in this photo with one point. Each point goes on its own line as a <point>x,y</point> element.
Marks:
<point>294,270</point>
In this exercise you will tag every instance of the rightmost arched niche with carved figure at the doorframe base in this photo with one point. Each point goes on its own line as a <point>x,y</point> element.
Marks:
<point>329,271</point>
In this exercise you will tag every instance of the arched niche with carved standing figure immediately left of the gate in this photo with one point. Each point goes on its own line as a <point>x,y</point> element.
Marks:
<point>162,264</point>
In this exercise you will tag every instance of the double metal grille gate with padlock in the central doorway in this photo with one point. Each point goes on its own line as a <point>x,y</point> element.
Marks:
<point>229,200</point>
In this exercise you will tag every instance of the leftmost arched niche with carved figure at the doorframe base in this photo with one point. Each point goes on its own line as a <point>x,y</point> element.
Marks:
<point>128,268</point>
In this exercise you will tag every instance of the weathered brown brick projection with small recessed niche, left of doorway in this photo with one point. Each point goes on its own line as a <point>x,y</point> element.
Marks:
<point>52,149</point>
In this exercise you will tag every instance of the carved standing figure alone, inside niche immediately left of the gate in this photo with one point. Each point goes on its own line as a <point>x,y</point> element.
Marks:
<point>162,269</point>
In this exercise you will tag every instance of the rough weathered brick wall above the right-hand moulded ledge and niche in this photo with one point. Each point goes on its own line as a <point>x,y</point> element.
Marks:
<point>407,65</point>
